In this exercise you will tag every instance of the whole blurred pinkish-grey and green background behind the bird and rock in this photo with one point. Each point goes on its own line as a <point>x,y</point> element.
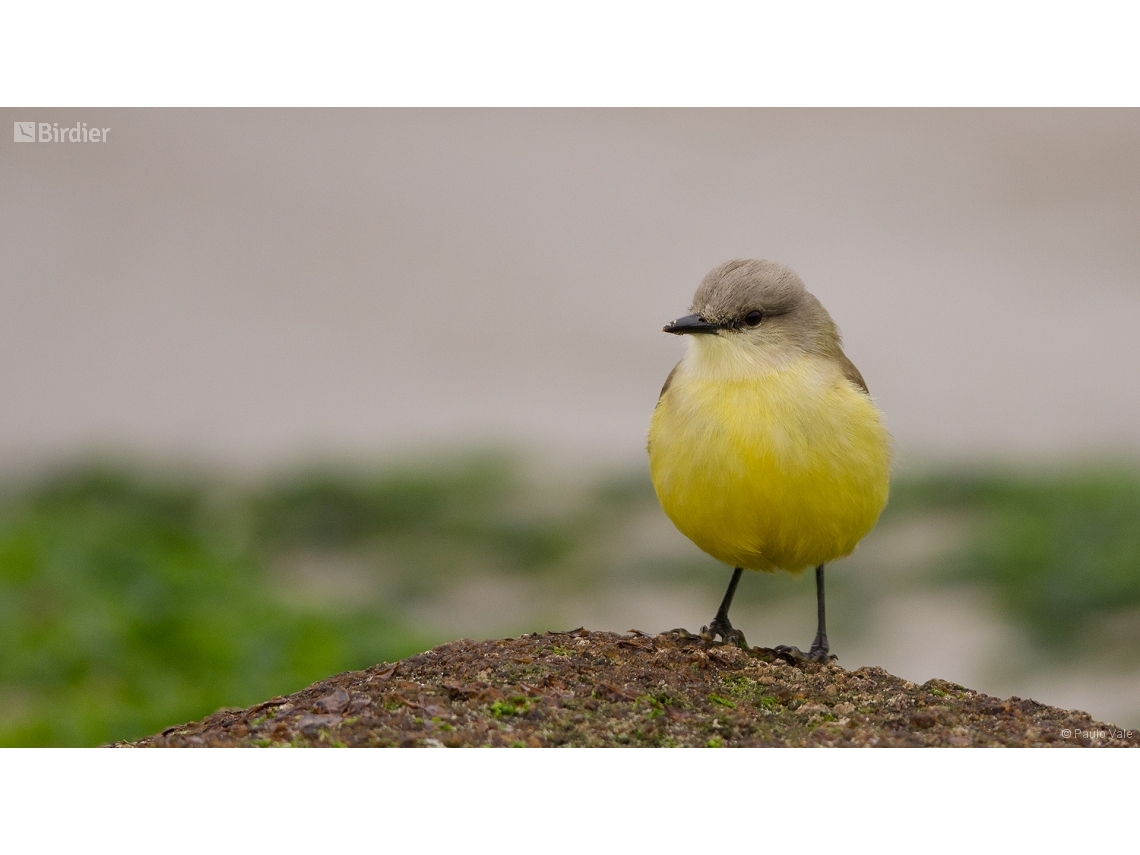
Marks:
<point>290,393</point>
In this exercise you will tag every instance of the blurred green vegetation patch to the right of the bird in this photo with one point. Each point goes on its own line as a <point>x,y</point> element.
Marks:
<point>1061,551</point>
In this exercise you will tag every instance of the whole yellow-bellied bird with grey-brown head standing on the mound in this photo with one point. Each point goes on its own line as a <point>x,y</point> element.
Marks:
<point>766,447</point>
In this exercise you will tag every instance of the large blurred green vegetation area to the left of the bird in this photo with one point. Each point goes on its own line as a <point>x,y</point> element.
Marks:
<point>132,600</point>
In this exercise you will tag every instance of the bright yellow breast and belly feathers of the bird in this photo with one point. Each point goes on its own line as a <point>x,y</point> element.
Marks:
<point>789,470</point>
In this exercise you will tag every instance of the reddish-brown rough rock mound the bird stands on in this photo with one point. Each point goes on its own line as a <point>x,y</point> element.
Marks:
<point>602,689</point>
